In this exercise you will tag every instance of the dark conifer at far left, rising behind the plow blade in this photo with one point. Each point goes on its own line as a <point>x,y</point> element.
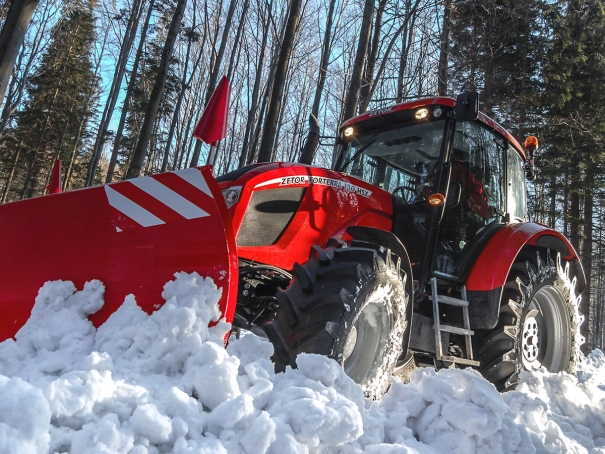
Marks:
<point>60,94</point>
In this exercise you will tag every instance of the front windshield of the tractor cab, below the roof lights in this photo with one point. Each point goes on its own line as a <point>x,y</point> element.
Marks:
<point>399,160</point>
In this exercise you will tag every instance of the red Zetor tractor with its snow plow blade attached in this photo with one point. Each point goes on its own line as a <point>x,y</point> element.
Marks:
<point>413,250</point>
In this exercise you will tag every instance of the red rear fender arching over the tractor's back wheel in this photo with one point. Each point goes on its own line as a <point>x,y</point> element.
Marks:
<point>493,264</point>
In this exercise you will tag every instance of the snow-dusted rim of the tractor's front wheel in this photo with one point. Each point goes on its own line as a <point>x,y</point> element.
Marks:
<point>366,340</point>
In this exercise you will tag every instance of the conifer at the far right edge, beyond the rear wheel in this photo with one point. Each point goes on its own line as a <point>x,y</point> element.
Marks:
<point>575,97</point>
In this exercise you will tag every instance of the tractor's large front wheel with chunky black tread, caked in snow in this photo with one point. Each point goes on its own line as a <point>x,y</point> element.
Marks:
<point>337,306</point>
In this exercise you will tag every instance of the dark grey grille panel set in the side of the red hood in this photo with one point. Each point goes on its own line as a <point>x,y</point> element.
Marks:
<point>268,215</point>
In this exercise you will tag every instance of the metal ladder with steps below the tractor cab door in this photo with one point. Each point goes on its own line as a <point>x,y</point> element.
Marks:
<point>464,331</point>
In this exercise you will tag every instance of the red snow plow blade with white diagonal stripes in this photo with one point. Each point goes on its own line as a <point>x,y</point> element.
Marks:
<point>132,235</point>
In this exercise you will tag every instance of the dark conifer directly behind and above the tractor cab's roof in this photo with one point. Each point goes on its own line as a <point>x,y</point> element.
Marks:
<point>498,49</point>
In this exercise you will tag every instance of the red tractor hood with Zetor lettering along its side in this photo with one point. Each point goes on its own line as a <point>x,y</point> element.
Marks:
<point>278,209</point>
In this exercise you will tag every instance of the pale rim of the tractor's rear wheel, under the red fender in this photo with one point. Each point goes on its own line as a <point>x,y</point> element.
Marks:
<point>546,332</point>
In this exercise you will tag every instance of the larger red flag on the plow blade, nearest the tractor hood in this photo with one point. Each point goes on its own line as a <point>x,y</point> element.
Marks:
<point>212,126</point>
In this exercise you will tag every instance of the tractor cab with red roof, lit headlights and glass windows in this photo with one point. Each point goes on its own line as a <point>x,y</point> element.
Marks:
<point>455,179</point>
